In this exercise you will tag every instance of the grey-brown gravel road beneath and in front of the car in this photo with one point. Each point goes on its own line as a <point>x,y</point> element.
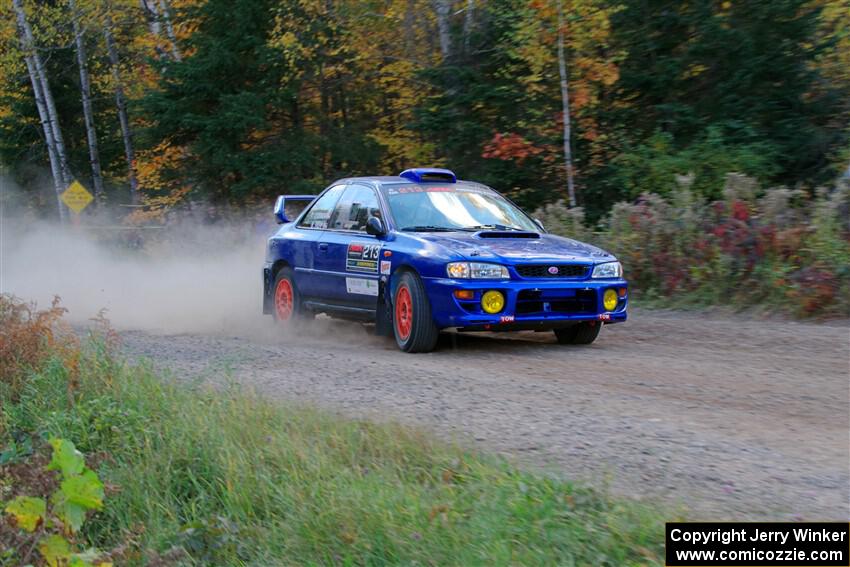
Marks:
<point>715,416</point>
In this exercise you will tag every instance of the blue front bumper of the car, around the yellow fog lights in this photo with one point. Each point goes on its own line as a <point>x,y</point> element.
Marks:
<point>529,304</point>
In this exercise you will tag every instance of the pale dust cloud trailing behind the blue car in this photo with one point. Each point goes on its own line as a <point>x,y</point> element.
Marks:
<point>190,277</point>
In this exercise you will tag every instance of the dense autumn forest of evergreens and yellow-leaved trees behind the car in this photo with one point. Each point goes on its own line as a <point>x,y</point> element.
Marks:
<point>588,101</point>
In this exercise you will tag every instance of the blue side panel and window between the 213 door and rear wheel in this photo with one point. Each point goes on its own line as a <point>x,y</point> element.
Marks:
<point>305,240</point>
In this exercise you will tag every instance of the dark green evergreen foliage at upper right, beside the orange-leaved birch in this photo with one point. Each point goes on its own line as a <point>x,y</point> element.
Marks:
<point>743,69</point>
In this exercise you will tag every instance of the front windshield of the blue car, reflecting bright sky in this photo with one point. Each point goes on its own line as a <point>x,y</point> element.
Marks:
<point>424,208</point>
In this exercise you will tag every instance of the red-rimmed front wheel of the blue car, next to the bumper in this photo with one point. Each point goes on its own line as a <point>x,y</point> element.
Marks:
<point>413,326</point>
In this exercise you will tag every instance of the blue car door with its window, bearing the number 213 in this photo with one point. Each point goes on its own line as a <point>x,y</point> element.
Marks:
<point>349,259</point>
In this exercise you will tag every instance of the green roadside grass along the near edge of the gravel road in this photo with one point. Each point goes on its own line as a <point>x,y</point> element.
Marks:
<point>224,477</point>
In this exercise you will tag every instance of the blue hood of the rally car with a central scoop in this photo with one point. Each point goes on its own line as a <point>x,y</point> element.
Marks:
<point>504,248</point>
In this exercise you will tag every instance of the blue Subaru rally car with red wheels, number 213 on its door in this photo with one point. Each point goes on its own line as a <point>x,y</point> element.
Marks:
<point>423,252</point>
